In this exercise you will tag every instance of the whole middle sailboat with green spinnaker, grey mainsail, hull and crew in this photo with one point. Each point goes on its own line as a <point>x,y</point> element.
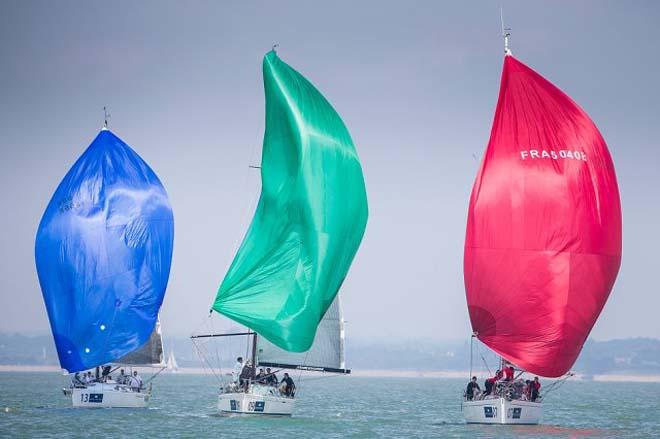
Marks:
<point>309,223</point>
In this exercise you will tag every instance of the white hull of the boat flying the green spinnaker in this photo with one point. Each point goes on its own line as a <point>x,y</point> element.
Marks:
<point>259,400</point>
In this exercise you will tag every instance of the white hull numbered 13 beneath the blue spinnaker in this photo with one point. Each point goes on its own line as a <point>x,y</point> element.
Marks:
<point>105,395</point>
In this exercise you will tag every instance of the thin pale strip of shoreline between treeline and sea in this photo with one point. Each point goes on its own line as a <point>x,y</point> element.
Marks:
<point>373,373</point>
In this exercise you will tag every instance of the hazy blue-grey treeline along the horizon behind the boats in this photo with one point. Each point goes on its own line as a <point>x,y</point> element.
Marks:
<point>623,356</point>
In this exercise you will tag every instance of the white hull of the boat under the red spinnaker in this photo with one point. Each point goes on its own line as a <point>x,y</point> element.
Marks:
<point>502,411</point>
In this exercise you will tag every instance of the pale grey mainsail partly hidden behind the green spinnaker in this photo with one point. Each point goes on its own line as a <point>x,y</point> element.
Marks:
<point>326,353</point>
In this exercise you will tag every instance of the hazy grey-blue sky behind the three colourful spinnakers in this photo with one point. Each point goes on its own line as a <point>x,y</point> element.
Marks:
<point>415,82</point>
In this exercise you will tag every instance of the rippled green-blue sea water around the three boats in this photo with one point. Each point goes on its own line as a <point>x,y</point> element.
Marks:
<point>32,405</point>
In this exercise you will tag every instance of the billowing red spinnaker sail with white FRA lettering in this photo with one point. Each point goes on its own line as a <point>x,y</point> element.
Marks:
<point>543,244</point>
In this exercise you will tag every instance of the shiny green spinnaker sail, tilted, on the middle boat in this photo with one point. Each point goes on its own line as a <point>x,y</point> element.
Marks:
<point>310,219</point>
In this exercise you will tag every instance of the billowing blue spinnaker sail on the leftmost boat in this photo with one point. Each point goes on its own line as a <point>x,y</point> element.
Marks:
<point>103,253</point>
